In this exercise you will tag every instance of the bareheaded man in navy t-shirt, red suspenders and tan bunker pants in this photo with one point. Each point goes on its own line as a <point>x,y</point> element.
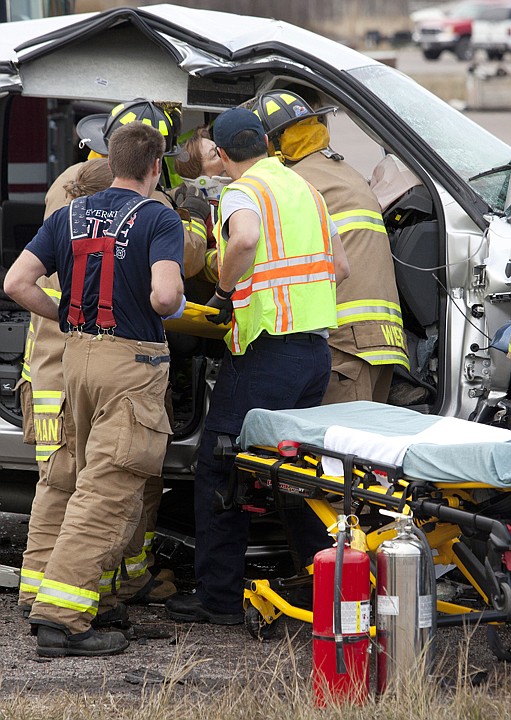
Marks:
<point>115,366</point>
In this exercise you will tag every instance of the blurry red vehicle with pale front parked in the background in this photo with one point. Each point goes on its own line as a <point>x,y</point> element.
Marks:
<point>453,32</point>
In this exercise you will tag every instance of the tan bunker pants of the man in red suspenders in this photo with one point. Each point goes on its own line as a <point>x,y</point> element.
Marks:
<point>117,407</point>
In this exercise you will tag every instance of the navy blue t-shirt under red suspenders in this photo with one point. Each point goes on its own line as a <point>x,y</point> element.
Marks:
<point>154,232</point>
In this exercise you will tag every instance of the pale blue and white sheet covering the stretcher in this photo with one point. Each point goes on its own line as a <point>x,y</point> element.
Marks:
<point>429,447</point>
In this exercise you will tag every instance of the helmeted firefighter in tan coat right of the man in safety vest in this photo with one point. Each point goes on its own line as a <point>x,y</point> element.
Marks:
<point>369,340</point>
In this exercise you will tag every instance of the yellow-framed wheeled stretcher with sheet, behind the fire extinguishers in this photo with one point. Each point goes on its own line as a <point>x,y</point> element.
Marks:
<point>453,475</point>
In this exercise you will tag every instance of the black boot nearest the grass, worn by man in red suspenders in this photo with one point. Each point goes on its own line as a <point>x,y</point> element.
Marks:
<point>53,642</point>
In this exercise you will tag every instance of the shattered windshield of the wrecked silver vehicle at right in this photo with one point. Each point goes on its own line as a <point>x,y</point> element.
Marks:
<point>464,145</point>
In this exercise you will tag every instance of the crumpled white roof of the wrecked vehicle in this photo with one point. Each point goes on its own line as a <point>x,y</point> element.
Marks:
<point>197,40</point>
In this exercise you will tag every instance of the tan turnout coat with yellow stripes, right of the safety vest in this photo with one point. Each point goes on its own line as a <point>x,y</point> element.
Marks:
<point>369,323</point>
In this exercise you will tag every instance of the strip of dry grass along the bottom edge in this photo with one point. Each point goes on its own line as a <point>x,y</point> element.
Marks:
<point>273,691</point>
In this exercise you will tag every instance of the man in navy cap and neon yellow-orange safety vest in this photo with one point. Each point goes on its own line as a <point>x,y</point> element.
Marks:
<point>280,256</point>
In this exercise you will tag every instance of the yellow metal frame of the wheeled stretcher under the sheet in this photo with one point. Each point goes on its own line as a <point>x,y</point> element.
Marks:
<point>306,474</point>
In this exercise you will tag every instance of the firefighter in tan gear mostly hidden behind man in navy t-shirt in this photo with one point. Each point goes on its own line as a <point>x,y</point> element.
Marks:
<point>43,411</point>
